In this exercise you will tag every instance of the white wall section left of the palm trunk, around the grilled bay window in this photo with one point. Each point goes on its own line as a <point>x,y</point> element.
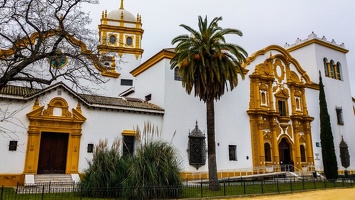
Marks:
<point>181,113</point>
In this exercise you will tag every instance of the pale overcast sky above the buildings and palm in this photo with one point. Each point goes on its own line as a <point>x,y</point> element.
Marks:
<point>262,22</point>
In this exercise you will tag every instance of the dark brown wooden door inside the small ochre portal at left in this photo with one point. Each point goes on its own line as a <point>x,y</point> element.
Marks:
<point>53,153</point>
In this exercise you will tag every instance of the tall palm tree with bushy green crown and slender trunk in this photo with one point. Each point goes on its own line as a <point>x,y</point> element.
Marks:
<point>208,65</point>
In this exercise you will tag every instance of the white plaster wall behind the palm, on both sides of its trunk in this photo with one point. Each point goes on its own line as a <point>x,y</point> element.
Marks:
<point>231,121</point>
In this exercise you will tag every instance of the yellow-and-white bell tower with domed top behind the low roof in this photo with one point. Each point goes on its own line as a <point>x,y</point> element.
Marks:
<point>120,36</point>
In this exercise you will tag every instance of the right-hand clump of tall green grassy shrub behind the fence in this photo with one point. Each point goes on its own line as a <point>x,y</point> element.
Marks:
<point>153,173</point>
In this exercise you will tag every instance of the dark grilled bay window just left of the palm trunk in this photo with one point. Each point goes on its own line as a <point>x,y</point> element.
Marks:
<point>197,148</point>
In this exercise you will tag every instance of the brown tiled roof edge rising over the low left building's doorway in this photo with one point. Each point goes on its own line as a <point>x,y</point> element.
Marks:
<point>127,103</point>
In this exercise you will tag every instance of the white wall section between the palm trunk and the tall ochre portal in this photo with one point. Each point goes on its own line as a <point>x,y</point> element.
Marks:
<point>233,127</point>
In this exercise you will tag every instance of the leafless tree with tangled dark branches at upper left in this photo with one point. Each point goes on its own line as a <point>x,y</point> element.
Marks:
<point>44,41</point>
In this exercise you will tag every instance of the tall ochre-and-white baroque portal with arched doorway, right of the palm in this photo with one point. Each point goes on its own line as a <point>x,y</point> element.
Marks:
<point>278,111</point>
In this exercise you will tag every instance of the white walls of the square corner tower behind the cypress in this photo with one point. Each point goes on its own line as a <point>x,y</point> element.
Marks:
<point>338,93</point>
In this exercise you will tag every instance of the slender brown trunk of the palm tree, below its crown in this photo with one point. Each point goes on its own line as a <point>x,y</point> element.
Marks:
<point>212,164</point>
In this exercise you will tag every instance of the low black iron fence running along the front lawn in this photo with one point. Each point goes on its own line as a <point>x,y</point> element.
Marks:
<point>200,189</point>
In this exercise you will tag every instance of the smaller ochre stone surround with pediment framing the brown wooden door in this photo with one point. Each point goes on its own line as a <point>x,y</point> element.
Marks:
<point>55,119</point>
